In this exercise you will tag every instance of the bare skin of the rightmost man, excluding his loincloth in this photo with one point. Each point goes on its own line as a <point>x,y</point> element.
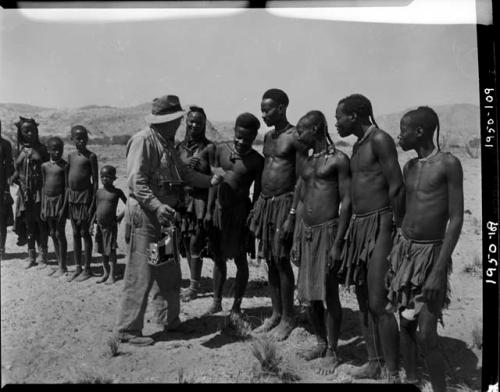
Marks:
<point>434,210</point>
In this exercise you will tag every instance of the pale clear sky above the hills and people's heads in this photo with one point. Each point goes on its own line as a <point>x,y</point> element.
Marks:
<point>226,63</point>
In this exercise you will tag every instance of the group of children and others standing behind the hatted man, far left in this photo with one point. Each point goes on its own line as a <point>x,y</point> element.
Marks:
<point>52,190</point>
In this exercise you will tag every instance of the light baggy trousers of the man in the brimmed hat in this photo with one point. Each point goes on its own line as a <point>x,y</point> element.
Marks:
<point>140,277</point>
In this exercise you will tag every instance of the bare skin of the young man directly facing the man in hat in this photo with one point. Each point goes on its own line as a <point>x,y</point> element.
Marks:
<point>239,174</point>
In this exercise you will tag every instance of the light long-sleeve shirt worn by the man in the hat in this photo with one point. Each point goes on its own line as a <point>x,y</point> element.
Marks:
<point>155,172</point>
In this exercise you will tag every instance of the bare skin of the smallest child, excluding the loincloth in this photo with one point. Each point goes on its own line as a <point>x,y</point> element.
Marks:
<point>106,204</point>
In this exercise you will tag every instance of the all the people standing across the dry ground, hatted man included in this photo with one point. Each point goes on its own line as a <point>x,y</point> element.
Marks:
<point>357,220</point>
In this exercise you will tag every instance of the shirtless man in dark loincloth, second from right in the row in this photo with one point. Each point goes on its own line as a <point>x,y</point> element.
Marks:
<point>377,194</point>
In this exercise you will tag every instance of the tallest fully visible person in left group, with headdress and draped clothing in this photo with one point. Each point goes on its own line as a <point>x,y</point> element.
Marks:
<point>28,175</point>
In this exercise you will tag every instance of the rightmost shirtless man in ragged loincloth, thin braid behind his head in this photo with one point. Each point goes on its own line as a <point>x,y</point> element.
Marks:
<point>420,261</point>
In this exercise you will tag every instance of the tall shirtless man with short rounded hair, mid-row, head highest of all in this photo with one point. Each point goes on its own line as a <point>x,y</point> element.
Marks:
<point>271,221</point>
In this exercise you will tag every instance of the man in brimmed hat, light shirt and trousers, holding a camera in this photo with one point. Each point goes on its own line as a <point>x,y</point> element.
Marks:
<point>156,177</point>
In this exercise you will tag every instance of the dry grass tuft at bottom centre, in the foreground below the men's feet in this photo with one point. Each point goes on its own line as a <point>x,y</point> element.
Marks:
<point>271,363</point>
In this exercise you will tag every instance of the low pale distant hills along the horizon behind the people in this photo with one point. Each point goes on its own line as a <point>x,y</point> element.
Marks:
<point>459,122</point>
